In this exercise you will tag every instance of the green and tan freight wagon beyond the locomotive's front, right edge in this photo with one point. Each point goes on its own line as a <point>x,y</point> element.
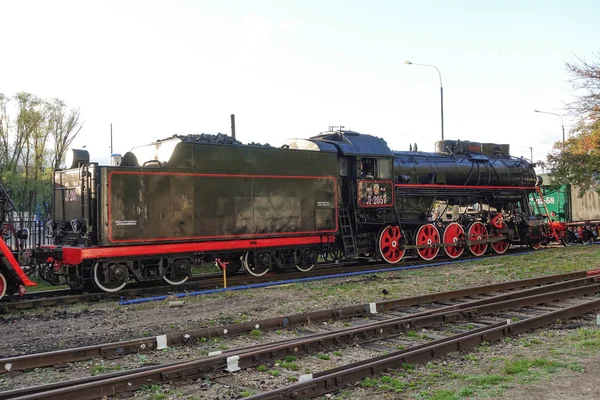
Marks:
<point>571,218</point>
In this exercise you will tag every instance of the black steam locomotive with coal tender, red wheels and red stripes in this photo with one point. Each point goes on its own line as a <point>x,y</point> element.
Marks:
<point>339,195</point>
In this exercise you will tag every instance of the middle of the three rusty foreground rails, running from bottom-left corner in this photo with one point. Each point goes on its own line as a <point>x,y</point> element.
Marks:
<point>101,386</point>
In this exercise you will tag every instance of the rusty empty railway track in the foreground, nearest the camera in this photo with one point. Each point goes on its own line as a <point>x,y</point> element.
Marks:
<point>454,321</point>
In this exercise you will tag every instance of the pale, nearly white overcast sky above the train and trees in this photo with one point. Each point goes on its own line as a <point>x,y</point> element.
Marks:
<point>293,68</point>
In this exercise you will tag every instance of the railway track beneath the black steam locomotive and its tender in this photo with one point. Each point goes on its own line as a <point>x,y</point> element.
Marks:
<point>211,281</point>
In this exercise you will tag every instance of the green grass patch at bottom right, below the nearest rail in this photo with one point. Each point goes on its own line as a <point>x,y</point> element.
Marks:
<point>487,375</point>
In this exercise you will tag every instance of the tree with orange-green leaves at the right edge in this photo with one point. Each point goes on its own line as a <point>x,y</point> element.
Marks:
<point>579,163</point>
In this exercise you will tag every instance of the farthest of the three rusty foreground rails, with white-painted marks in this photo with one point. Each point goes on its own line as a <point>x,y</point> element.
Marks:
<point>141,345</point>
